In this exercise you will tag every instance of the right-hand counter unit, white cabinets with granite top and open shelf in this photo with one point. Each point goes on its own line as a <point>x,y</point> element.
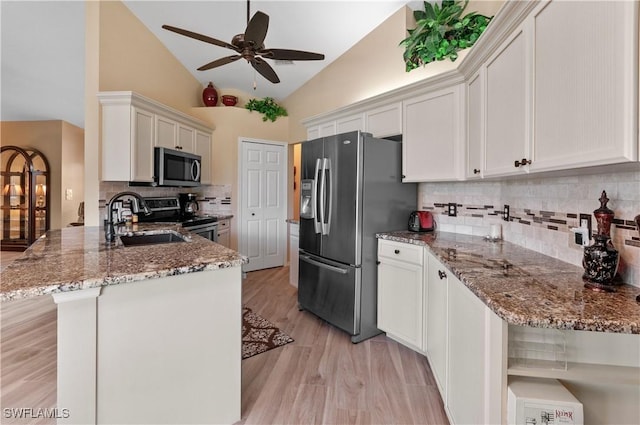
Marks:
<point>487,312</point>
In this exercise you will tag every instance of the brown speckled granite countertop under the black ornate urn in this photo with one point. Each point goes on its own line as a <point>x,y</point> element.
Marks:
<point>527,288</point>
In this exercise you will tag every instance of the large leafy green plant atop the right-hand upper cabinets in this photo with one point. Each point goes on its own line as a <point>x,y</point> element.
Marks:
<point>440,32</point>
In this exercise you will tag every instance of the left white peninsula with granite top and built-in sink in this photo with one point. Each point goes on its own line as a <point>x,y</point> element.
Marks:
<point>146,334</point>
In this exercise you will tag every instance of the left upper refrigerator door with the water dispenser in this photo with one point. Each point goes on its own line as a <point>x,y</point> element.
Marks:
<point>310,167</point>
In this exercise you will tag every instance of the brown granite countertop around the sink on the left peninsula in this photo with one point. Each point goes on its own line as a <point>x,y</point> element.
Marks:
<point>75,258</point>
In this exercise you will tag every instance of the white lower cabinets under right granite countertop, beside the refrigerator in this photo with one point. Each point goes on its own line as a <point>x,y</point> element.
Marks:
<point>424,306</point>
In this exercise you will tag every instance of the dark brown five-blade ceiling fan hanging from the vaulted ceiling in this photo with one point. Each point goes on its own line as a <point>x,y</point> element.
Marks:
<point>250,46</point>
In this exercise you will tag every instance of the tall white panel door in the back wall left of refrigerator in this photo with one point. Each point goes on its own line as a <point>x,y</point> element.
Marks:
<point>263,208</point>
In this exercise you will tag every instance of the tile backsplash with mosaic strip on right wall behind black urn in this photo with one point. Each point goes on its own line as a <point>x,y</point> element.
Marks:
<point>542,212</point>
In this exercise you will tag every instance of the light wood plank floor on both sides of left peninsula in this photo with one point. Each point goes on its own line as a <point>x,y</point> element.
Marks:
<point>320,378</point>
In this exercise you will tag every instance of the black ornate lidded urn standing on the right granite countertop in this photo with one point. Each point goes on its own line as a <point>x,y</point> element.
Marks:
<point>600,260</point>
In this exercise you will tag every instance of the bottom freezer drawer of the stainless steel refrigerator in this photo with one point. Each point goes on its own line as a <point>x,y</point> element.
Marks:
<point>331,291</point>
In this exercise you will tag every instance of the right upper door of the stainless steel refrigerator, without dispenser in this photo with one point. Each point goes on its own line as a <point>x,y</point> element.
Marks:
<point>342,198</point>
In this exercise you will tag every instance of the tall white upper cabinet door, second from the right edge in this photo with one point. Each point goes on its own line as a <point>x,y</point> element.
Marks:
<point>507,134</point>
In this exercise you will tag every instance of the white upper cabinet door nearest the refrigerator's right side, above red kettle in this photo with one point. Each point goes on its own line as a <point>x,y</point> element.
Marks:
<point>432,136</point>
